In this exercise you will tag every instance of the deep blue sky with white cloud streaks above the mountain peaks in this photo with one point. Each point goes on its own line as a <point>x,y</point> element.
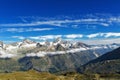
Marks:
<point>89,21</point>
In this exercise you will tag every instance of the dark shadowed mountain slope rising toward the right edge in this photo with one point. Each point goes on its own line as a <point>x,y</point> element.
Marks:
<point>107,63</point>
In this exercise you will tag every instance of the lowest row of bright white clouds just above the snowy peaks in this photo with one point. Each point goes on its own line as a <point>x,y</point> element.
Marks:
<point>72,36</point>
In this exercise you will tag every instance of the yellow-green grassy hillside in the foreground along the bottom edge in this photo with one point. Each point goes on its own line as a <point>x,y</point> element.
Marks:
<point>34,75</point>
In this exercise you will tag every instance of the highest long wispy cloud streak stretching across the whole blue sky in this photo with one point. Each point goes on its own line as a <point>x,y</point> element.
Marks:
<point>66,22</point>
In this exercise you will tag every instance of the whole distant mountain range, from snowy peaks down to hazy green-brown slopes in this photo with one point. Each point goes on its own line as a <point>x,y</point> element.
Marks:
<point>53,56</point>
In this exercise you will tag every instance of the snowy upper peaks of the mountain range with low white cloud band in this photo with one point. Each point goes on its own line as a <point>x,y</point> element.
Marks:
<point>58,46</point>
